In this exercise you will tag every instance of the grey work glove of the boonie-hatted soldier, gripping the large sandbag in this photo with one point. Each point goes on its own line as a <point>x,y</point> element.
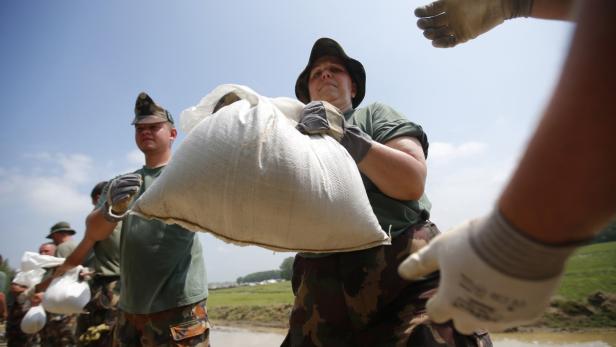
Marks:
<point>320,117</point>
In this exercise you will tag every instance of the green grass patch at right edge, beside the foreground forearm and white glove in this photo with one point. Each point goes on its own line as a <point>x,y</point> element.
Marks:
<point>592,268</point>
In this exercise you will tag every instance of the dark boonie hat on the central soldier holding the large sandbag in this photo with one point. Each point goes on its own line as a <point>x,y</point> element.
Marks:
<point>328,47</point>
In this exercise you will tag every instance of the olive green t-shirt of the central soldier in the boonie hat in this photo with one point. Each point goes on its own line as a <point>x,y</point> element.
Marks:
<point>383,124</point>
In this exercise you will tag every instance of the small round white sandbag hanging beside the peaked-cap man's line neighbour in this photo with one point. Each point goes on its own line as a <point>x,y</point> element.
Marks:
<point>66,294</point>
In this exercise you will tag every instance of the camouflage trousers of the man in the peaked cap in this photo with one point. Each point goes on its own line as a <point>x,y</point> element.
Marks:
<point>182,326</point>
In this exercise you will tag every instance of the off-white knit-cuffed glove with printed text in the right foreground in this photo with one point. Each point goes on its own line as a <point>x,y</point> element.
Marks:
<point>492,276</point>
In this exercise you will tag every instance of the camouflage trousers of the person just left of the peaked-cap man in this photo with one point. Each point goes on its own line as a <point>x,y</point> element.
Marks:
<point>95,327</point>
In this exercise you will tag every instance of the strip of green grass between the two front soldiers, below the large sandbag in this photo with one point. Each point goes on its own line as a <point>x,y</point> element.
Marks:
<point>263,295</point>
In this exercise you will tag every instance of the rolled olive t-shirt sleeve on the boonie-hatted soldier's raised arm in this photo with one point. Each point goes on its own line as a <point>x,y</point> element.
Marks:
<point>388,124</point>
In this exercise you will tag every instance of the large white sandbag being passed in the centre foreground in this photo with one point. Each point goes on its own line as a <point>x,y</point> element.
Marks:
<point>246,175</point>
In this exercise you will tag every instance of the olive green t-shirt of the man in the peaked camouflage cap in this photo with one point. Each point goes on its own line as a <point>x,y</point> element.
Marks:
<point>161,264</point>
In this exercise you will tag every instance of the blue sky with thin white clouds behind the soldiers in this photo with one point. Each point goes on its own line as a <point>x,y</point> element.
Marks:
<point>71,71</point>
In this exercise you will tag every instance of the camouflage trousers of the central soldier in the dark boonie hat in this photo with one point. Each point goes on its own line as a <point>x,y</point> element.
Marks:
<point>358,299</point>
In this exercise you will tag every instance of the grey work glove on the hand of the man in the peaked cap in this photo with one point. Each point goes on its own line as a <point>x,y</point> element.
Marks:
<point>120,194</point>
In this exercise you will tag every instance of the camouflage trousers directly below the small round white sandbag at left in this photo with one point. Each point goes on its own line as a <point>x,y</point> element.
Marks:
<point>59,331</point>
